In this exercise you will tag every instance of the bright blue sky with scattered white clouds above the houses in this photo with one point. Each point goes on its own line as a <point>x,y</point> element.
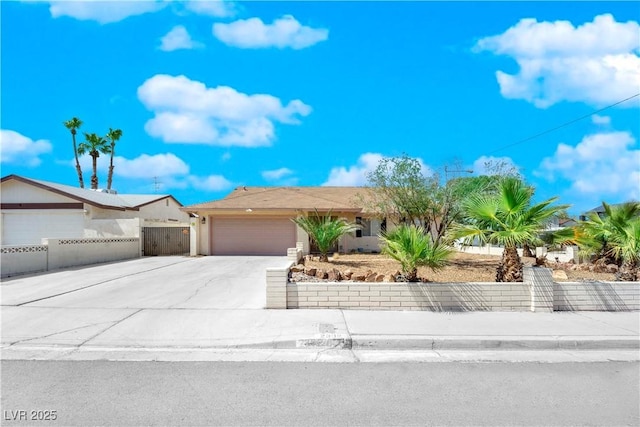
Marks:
<point>213,95</point>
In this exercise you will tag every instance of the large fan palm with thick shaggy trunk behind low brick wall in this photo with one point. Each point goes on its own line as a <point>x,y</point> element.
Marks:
<point>507,218</point>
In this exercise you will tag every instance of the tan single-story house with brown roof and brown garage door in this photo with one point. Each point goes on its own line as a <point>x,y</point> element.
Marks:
<point>257,220</point>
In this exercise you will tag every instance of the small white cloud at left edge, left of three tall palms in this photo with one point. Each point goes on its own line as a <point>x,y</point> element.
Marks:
<point>18,149</point>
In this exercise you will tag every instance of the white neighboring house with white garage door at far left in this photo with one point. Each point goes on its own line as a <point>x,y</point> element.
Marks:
<point>33,210</point>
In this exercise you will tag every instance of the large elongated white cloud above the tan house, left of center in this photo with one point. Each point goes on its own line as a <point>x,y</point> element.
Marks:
<point>186,111</point>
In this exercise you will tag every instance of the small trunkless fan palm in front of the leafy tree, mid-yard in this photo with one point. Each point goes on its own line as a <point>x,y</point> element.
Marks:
<point>412,246</point>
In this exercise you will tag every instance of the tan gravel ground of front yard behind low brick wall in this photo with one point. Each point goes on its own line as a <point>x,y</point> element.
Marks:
<point>462,268</point>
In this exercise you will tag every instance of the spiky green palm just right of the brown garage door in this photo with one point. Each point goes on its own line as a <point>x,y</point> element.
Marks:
<point>325,230</point>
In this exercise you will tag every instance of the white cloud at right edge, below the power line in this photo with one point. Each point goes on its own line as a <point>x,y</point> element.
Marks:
<point>606,164</point>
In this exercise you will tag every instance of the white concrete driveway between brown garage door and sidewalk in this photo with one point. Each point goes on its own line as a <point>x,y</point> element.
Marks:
<point>149,283</point>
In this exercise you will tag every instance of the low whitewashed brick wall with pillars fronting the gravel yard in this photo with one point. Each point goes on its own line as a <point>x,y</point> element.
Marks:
<point>538,292</point>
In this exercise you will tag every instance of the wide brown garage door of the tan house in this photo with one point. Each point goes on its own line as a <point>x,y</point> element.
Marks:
<point>255,236</point>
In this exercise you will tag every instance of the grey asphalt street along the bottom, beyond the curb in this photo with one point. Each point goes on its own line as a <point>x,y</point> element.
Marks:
<point>279,393</point>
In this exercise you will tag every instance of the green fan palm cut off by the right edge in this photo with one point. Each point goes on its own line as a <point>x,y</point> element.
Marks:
<point>615,235</point>
